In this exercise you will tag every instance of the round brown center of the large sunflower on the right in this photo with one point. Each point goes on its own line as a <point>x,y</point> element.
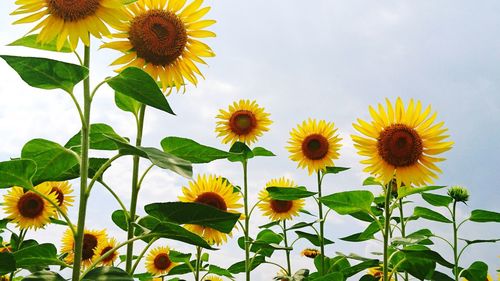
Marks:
<point>400,145</point>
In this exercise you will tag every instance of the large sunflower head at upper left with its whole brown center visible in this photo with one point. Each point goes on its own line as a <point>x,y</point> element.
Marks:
<point>162,37</point>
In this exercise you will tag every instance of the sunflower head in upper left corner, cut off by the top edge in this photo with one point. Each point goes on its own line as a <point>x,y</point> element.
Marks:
<point>75,19</point>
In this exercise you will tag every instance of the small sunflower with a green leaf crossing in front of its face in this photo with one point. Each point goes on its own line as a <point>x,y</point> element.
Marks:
<point>279,209</point>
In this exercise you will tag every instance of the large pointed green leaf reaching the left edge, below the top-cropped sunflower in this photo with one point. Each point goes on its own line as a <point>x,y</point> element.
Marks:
<point>46,73</point>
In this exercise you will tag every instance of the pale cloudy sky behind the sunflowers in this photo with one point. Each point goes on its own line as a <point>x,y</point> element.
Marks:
<point>324,59</point>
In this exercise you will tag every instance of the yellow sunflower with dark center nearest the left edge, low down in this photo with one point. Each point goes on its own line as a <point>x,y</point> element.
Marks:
<point>28,209</point>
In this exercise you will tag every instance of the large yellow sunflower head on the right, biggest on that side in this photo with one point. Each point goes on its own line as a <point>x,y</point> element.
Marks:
<point>402,144</point>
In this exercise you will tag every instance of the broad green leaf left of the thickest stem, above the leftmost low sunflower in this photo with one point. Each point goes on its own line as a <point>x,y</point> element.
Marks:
<point>52,160</point>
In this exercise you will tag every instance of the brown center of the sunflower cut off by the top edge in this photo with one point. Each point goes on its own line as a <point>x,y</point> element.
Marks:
<point>73,10</point>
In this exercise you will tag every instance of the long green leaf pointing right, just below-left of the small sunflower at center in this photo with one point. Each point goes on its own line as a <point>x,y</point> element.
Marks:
<point>192,151</point>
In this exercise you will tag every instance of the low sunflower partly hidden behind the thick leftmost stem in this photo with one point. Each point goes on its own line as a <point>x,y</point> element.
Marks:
<point>92,239</point>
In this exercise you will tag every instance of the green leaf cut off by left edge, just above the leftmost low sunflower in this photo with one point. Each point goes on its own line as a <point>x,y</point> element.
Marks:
<point>17,173</point>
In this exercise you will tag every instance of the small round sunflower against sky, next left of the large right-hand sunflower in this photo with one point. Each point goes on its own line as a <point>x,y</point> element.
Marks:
<point>314,145</point>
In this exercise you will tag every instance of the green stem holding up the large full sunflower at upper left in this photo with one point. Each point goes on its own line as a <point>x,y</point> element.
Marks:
<point>135,190</point>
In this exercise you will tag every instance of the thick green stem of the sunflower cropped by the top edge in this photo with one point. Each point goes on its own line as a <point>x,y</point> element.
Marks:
<point>84,164</point>
